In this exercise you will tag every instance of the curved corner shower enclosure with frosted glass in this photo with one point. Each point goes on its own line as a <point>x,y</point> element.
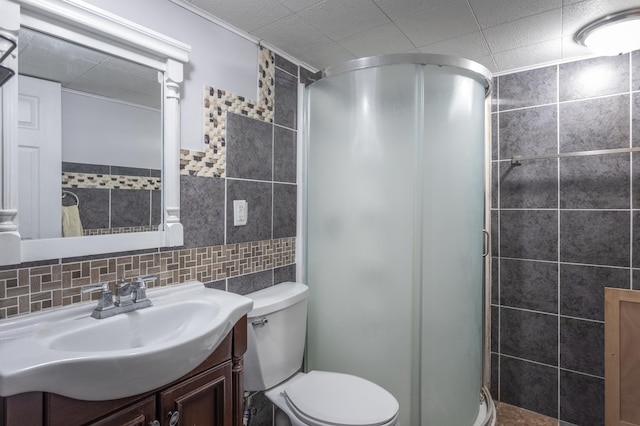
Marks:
<point>395,163</point>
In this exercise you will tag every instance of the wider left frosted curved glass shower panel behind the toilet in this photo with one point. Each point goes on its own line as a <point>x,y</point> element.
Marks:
<point>361,203</point>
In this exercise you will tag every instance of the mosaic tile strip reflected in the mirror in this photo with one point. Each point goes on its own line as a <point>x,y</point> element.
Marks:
<point>104,181</point>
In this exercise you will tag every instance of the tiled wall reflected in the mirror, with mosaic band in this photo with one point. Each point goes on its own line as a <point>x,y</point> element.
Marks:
<point>113,199</point>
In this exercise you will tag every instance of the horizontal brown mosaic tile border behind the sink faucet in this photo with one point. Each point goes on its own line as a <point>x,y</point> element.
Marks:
<point>29,290</point>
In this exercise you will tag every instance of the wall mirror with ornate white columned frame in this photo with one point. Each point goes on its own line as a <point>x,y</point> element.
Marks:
<point>90,136</point>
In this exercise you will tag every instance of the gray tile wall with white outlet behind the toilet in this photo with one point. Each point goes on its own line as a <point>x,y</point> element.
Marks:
<point>261,169</point>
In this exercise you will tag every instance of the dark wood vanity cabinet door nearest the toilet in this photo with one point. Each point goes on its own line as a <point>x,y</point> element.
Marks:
<point>203,400</point>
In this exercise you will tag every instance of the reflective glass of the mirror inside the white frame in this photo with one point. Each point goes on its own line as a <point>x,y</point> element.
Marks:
<point>93,122</point>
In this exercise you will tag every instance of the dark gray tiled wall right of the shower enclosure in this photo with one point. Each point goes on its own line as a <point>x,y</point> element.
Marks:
<point>563,229</point>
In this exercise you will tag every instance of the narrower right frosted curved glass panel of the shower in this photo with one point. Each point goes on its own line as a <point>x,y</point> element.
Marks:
<point>452,168</point>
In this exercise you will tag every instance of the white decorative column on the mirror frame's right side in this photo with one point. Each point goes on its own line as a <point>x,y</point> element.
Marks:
<point>172,78</point>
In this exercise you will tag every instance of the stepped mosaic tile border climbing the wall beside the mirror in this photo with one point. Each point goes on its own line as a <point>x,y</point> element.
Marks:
<point>212,161</point>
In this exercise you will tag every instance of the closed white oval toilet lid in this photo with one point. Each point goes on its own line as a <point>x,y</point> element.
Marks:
<point>341,399</point>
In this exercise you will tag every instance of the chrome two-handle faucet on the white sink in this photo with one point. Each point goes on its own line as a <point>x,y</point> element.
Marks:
<point>130,296</point>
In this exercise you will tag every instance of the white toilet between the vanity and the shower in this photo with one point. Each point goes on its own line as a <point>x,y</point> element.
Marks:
<point>275,339</point>
